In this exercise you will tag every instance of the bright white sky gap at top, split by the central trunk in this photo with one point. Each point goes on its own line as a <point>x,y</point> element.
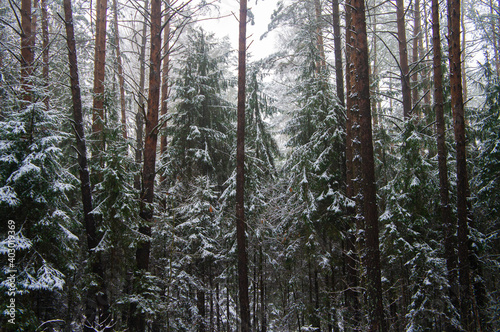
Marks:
<point>228,26</point>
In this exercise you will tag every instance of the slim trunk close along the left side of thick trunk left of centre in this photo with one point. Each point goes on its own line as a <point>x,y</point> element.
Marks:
<point>139,117</point>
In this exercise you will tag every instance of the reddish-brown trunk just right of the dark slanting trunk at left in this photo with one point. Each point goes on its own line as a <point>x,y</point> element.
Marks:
<point>99,73</point>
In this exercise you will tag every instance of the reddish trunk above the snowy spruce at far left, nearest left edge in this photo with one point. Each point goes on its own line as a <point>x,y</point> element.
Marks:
<point>27,49</point>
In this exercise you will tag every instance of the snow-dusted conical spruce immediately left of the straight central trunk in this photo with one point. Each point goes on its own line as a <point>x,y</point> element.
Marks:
<point>201,127</point>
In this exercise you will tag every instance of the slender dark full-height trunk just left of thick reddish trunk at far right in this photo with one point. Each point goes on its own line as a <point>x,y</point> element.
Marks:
<point>449,226</point>
